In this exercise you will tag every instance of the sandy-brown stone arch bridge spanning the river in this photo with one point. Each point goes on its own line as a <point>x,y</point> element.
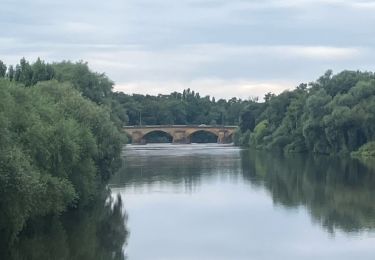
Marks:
<point>181,134</point>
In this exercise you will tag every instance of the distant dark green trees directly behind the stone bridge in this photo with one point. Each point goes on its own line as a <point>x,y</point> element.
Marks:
<point>183,108</point>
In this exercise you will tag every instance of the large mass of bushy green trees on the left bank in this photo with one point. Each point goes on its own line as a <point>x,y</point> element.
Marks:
<point>59,140</point>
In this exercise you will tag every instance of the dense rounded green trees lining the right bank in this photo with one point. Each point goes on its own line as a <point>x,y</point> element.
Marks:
<point>335,114</point>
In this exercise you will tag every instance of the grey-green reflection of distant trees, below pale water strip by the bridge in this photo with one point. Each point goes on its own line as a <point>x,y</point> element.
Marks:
<point>186,170</point>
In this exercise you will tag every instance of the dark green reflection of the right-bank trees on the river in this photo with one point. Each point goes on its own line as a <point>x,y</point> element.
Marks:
<point>338,192</point>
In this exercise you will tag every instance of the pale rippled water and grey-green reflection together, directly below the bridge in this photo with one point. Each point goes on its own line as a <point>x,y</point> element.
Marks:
<point>179,165</point>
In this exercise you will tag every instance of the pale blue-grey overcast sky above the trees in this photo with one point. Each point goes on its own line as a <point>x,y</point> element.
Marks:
<point>222,48</point>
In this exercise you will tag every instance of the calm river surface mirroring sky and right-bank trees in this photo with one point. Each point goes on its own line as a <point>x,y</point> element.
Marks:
<point>220,202</point>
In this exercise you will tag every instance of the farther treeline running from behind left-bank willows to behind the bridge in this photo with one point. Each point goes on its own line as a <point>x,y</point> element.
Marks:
<point>187,107</point>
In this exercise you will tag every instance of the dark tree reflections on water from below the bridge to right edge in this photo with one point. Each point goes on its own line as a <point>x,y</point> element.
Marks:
<point>337,192</point>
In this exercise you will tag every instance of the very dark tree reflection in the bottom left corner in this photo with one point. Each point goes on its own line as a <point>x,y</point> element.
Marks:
<point>96,232</point>
